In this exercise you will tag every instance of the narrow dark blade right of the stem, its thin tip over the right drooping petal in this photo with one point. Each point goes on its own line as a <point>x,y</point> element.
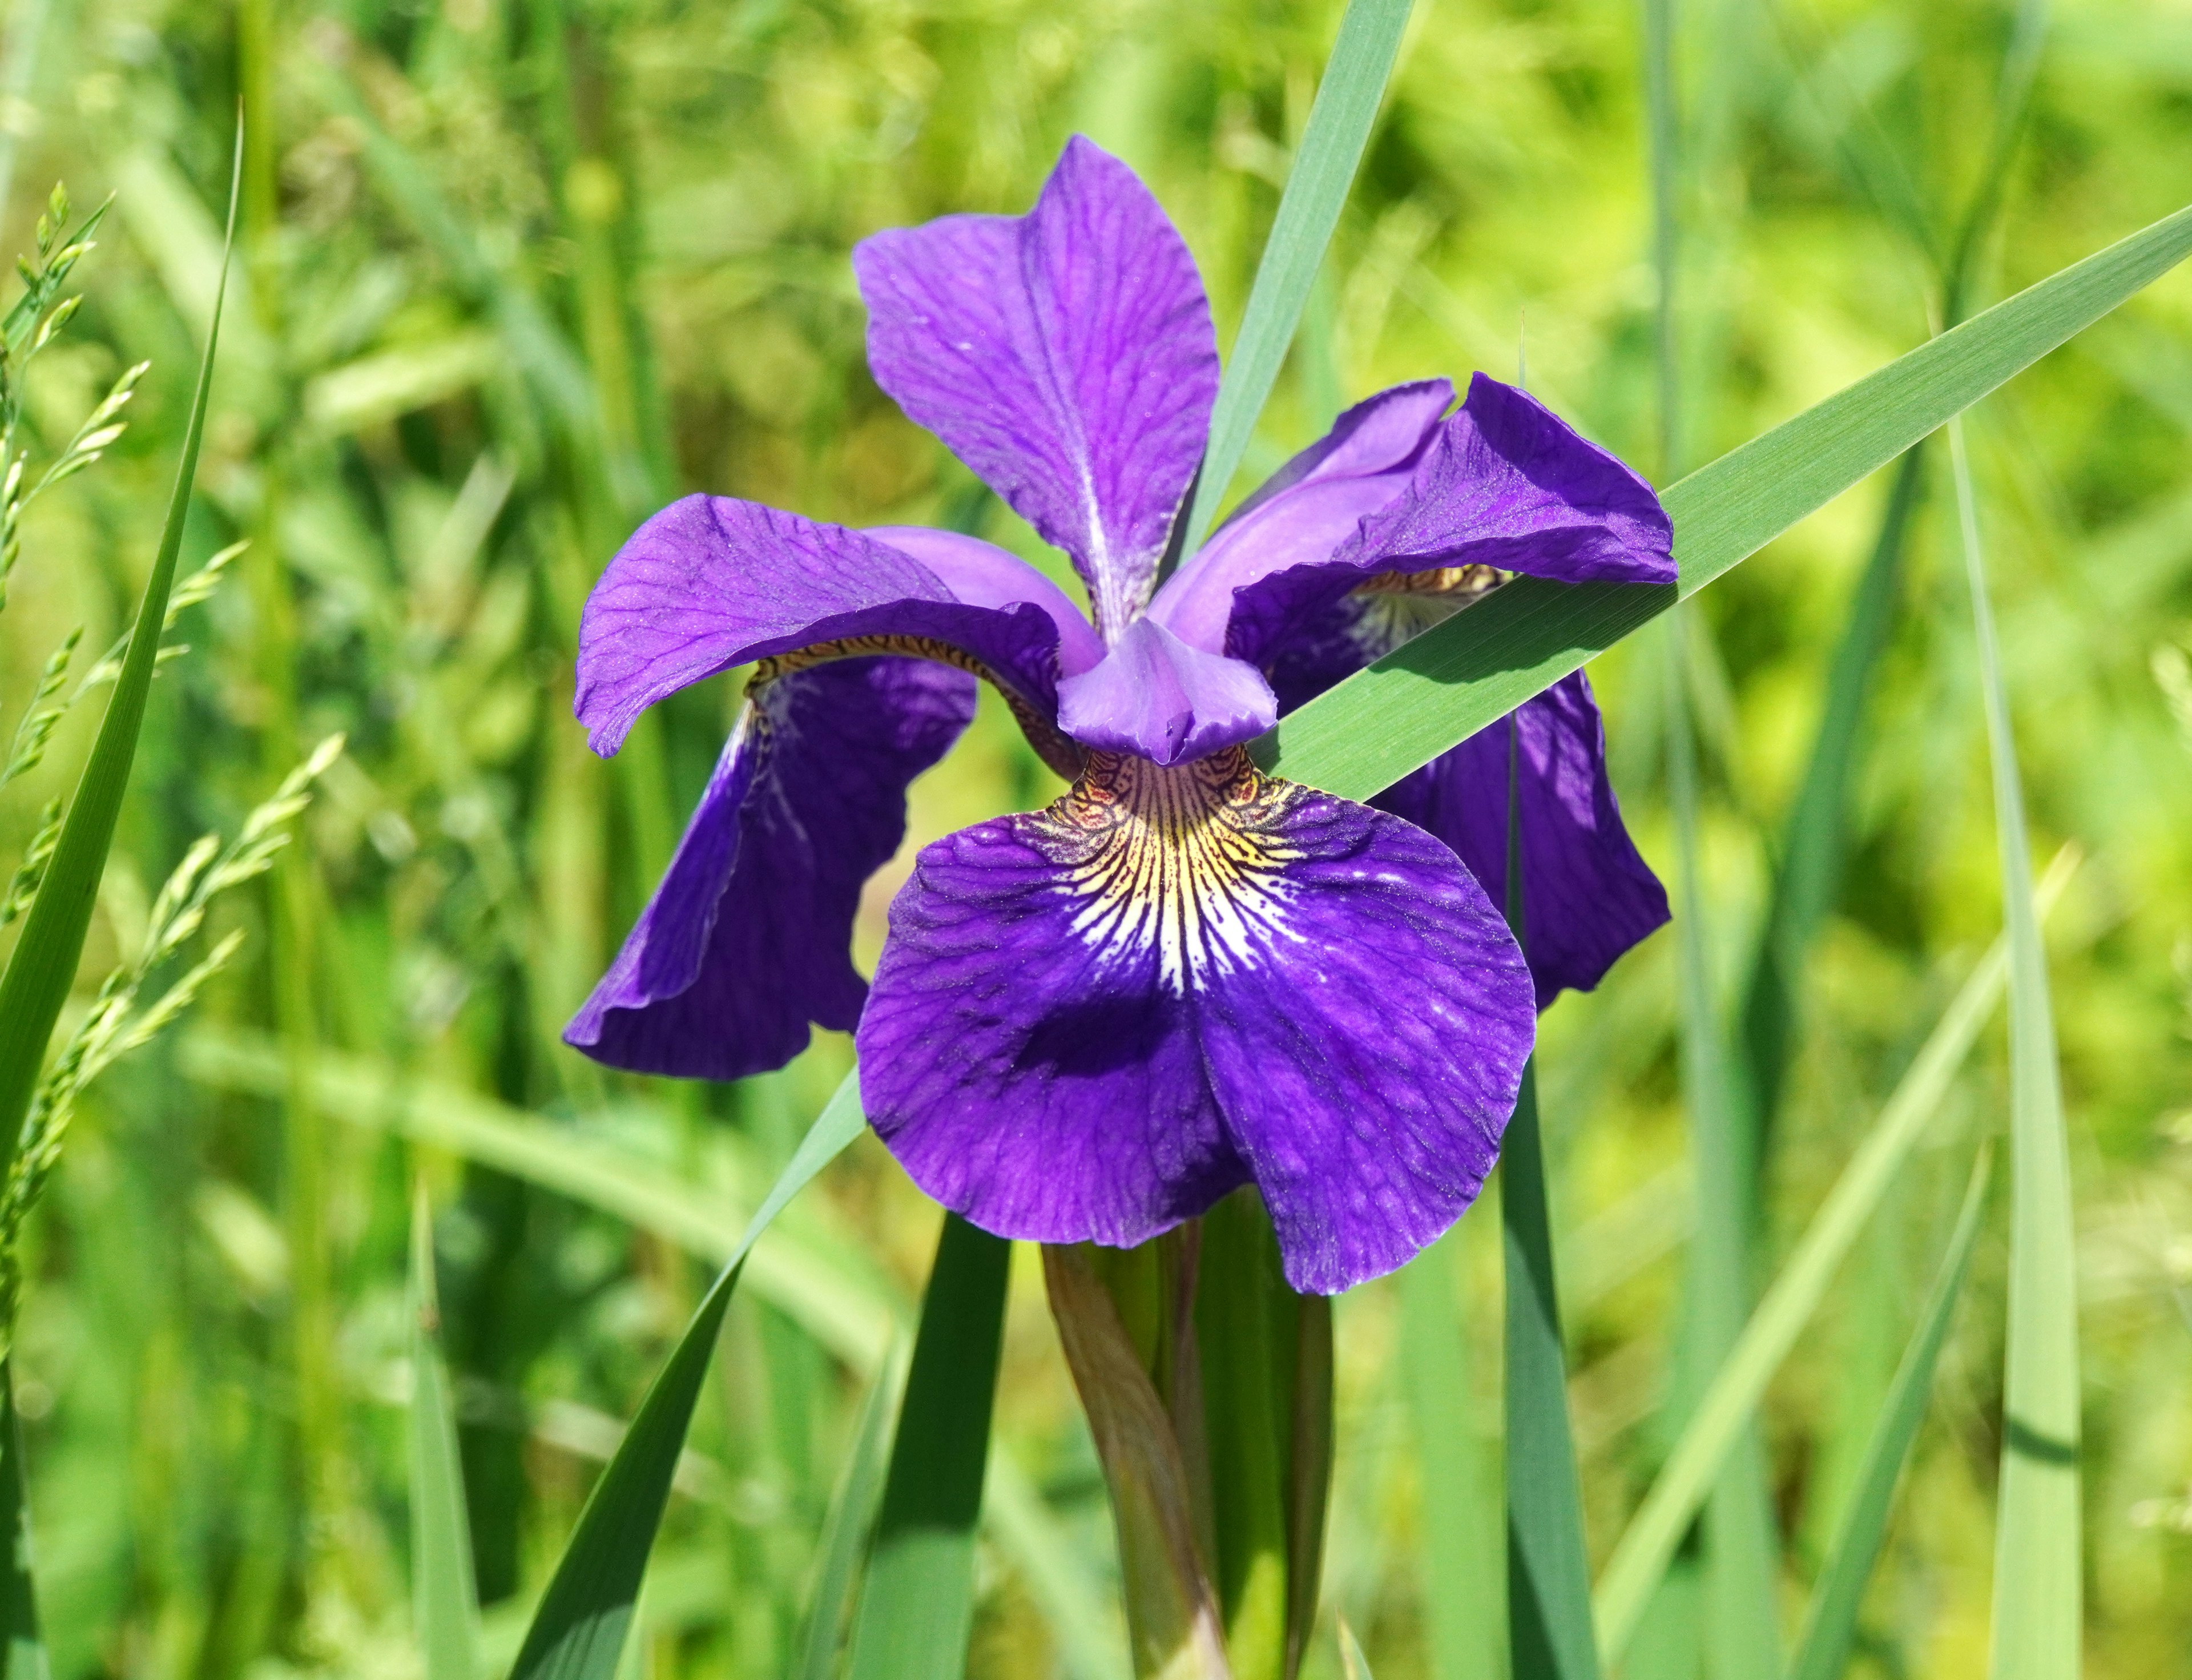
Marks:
<point>1549,1569</point>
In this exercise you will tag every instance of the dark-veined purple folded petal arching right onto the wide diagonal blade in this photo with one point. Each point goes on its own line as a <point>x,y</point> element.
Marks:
<point>1505,484</point>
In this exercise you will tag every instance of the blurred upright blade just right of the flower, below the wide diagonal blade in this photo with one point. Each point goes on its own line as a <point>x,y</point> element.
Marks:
<point>1742,1545</point>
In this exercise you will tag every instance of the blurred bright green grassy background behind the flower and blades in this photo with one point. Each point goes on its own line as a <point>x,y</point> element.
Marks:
<point>514,273</point>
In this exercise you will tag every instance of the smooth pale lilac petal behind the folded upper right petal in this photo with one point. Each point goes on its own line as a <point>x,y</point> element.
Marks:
<point>1308,510</point>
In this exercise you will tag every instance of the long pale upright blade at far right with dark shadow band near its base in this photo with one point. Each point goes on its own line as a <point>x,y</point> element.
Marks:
<point>2037,1525</point>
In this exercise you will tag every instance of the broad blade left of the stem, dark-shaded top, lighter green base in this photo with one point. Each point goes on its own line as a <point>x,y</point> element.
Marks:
<point>917,1604</point>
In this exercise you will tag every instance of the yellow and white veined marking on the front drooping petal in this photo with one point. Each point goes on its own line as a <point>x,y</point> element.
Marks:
<point>1180,861</point>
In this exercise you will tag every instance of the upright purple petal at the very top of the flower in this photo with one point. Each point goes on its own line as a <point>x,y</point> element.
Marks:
<point>1066,356</point>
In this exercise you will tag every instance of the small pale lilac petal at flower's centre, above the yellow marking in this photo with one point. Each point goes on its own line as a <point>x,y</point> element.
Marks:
<point>1165,701</point>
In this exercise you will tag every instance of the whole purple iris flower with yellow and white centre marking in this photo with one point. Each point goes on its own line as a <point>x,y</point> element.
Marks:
<point>1095,1021</point>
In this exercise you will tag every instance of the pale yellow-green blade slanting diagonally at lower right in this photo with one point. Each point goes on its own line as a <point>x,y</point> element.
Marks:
<point>1794,1295</point>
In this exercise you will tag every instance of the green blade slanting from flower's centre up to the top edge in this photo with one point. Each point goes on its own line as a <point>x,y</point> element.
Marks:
<point>1308,214</point>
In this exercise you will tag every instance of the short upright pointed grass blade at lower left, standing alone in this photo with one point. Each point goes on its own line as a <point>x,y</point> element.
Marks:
<point>444,1598</point>
